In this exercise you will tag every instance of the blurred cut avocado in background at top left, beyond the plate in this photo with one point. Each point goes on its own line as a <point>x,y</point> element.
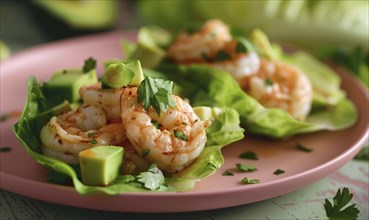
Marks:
<point>80,14</point>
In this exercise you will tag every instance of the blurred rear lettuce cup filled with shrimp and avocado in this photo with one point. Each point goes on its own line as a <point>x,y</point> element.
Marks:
<point>277,94</point>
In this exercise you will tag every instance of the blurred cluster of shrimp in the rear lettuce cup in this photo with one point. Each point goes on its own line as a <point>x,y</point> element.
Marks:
<point>271,83</point>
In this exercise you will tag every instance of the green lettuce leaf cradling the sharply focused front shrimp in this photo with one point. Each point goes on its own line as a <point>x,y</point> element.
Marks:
<point>39,108</point>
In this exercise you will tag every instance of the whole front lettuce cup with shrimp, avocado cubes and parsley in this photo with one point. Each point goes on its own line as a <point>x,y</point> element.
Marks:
<point>163,139</point>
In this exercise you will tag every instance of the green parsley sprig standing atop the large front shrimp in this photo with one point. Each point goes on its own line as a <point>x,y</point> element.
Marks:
<point>156,93</point>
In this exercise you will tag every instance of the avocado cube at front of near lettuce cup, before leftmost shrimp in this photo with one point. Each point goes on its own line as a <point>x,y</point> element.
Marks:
<point>100,165</point>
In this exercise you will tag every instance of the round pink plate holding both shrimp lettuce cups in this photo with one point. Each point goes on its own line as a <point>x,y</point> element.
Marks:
<point>22,175</point>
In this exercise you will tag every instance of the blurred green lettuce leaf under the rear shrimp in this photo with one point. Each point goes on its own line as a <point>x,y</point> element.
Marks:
<point>214,87</point>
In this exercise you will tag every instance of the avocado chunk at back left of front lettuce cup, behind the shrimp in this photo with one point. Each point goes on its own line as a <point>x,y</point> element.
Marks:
<point>65,85</point>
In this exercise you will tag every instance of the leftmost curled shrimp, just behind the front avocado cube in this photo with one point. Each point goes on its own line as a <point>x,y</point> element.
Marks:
<point>64,136</point>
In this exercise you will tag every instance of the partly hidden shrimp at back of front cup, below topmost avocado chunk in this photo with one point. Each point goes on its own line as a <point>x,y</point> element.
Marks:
<point>106,99</point>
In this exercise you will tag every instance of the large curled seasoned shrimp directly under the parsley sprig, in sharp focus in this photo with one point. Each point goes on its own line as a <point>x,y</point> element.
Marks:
<point>172,140</point>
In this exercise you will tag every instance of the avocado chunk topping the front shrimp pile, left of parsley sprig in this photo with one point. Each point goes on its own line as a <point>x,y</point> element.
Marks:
<point>123,74</point>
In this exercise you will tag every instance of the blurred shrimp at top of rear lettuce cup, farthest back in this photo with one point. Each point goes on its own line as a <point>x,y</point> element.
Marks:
<point>192,48</point>
